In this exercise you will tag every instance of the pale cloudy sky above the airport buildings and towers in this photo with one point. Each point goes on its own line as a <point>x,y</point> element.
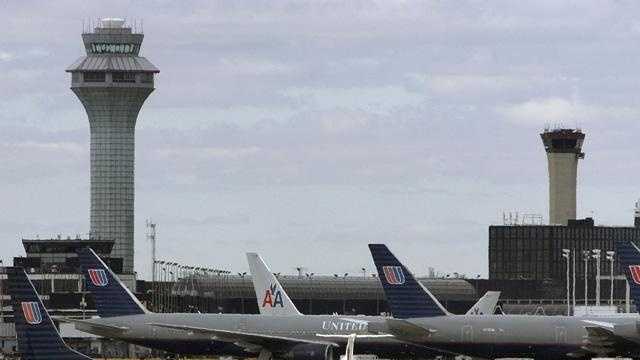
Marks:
<point>304,130</point>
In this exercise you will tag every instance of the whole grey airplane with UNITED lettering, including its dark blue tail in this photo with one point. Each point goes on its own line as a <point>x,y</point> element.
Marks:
<point>308,337</point>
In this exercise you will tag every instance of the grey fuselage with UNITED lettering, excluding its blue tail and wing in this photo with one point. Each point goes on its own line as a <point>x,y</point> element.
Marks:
<point>137,329</point>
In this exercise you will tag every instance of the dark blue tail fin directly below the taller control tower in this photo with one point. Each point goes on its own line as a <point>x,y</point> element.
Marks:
<point>111,296</point>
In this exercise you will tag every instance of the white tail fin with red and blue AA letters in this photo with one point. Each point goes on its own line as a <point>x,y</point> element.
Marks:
<point>272,299</point>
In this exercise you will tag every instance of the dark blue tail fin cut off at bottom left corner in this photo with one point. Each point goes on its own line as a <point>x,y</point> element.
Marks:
<point>38,338</point>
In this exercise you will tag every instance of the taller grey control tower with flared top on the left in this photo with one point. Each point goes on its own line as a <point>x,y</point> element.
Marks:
<point>112,81</point>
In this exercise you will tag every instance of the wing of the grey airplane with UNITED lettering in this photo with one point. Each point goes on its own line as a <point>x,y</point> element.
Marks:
<point>250,341</point>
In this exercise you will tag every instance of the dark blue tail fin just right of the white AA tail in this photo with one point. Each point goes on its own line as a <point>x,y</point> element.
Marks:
<point>407,298</point>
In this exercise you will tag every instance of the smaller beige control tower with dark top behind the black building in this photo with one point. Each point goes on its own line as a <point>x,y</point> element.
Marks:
<point>564,149</point>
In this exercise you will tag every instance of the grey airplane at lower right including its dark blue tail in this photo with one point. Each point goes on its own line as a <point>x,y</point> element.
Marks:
<point>420,319</point>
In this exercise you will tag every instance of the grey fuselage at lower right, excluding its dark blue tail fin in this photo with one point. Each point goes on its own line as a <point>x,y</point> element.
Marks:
<point>517,336</point>
